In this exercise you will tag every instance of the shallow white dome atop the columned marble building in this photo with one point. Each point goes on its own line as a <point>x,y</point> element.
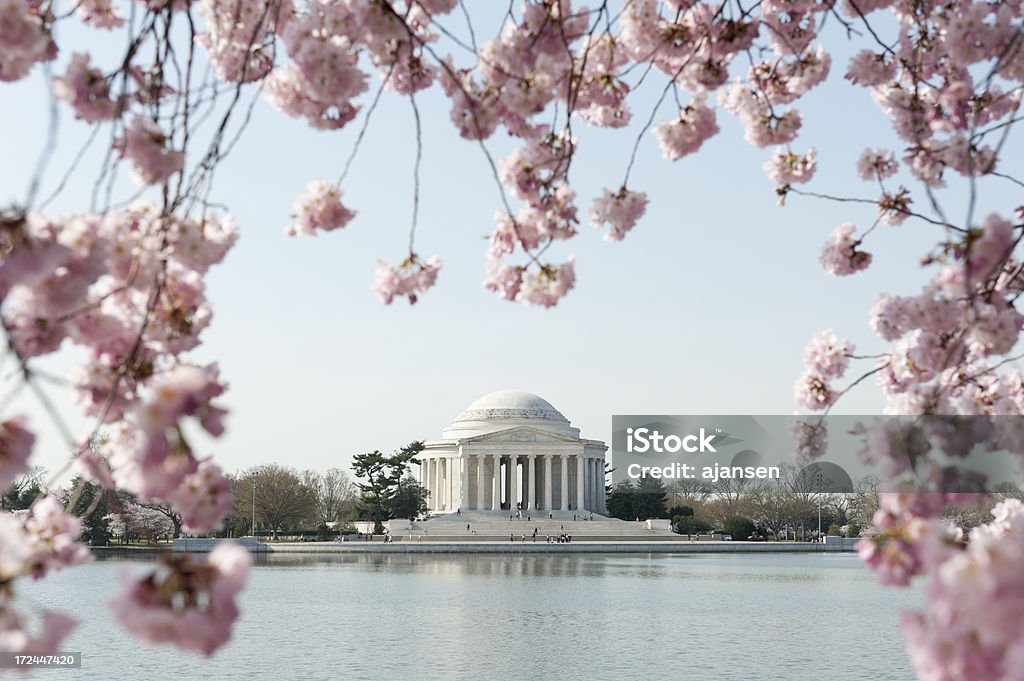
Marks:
<point>509,409</point>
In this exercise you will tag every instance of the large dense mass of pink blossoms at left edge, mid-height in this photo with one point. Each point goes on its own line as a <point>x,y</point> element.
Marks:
<point>127,287</point>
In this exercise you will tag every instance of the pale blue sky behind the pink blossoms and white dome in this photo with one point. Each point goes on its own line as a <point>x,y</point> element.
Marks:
<point>704,309</point>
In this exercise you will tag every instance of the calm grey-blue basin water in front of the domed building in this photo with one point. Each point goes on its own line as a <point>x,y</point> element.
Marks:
<point>755,618</point>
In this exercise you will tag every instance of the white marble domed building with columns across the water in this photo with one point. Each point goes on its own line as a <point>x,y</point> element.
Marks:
<point>514,450</point>
